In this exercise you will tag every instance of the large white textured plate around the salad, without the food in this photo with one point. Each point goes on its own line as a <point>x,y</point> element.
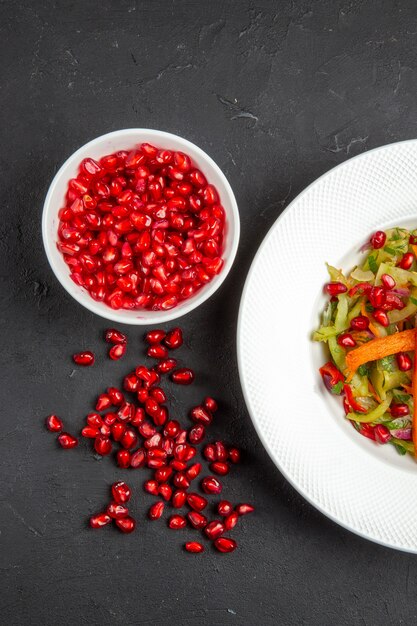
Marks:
<point>365,487</point>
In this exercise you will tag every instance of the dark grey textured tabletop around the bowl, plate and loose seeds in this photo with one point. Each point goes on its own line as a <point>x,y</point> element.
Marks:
<point>277,93</point>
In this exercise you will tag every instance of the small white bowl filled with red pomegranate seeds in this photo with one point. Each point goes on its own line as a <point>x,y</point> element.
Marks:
<point>140,226</point>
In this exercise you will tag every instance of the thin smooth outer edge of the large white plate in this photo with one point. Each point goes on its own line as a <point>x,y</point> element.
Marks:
<point>251,411</point>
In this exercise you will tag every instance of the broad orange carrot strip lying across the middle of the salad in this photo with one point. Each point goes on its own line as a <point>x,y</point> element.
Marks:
<point>378,348</point>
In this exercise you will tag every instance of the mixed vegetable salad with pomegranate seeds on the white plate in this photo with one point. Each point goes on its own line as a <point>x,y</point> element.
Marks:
<point>369,326</point>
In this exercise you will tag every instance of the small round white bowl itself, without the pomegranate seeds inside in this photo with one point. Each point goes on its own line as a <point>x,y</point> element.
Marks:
<point>125,140</point>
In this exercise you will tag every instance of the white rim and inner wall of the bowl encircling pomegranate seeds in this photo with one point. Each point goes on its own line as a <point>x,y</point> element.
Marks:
<point>120,315</point>
